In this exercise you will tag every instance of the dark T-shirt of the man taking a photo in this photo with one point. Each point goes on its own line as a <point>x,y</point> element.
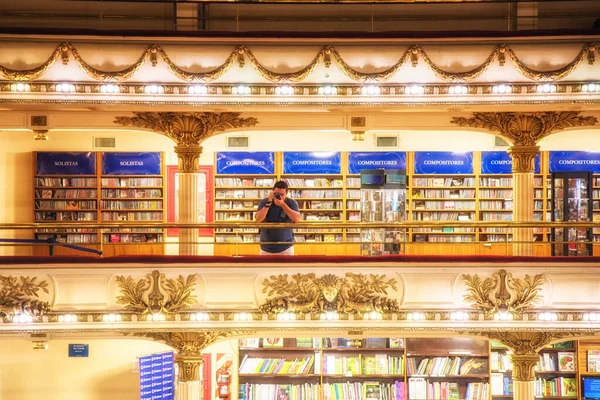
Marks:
<point>276,214</point>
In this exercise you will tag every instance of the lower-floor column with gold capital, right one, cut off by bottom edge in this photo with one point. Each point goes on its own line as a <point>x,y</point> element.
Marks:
<point>525,347</point>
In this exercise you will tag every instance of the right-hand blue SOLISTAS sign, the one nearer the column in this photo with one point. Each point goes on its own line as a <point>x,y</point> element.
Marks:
<point>131,163</point>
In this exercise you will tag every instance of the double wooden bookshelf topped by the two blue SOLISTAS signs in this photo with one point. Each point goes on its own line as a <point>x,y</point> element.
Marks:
<point>80,187</point>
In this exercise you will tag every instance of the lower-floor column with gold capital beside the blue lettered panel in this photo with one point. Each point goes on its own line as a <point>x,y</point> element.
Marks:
<point>189,347</point>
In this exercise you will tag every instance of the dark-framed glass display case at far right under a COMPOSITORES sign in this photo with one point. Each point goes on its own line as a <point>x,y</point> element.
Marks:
<point>572,202</point>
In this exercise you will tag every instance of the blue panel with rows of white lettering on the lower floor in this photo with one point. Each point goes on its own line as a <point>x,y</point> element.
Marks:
<point>157,377</point>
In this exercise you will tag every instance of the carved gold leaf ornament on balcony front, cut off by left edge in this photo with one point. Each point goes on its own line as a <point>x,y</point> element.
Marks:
<point>20,295</point>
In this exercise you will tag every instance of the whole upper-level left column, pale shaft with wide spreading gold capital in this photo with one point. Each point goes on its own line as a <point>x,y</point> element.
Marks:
<point>188,130</point>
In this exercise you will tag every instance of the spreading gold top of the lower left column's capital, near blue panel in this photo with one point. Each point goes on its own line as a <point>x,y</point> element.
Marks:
<point>191,344</point>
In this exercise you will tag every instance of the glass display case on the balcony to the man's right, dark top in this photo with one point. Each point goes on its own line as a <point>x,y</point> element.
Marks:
<point>383,199</point>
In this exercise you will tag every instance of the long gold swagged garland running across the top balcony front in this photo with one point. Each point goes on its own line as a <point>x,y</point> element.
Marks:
<point>240,53</point>
